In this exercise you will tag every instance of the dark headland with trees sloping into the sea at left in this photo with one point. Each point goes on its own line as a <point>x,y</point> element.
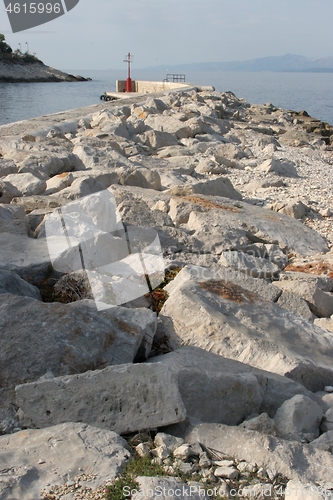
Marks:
<point>24,67</point>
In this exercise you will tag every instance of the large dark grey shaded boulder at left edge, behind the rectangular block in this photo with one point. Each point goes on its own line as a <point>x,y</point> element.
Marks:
<point>66,338</point>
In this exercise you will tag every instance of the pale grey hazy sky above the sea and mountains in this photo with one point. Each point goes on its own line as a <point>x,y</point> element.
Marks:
<point>97,34</point>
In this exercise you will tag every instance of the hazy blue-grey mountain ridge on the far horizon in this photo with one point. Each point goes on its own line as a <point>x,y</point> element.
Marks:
<point>287,62</point>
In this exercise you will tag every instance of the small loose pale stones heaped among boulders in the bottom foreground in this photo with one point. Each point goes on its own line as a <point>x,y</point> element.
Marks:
<point>198,471</point>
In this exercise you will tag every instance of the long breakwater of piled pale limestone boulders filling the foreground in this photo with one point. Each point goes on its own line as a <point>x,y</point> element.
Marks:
<point>229,366</point>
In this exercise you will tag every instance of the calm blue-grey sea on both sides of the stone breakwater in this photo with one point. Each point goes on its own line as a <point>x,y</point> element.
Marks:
<point>310,91</point>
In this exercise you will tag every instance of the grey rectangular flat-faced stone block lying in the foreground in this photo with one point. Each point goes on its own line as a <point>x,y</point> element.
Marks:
<point>123,398</point>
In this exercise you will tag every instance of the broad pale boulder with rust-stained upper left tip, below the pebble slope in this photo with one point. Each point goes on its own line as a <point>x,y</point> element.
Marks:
<point>230,227</point>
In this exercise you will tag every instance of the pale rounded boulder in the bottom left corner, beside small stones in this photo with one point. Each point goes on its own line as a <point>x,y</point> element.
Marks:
<point>37,458</point>
